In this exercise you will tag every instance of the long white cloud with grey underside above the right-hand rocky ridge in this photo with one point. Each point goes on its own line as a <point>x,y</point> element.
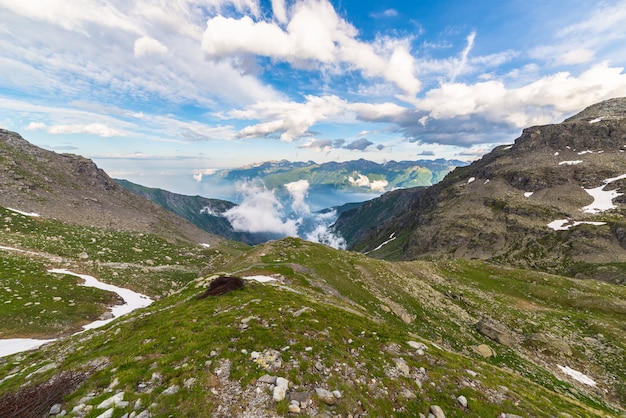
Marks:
<point>466,114</point>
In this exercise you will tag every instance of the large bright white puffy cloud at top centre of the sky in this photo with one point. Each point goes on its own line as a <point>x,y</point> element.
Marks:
<point>312,31</point>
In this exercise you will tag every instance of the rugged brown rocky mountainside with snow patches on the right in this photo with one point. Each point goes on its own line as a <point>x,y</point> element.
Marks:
<point>553,200</point>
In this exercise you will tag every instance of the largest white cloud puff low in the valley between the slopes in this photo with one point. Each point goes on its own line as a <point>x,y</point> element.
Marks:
<point>260,211</point>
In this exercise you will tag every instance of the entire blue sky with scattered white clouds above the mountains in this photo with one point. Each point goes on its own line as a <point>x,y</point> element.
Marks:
<point>161,92</point>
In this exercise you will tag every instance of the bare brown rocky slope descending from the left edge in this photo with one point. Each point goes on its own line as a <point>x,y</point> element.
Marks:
<point>73,189</point>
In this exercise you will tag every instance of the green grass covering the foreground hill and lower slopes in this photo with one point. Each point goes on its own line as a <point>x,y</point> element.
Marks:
<point>361,314</point>
